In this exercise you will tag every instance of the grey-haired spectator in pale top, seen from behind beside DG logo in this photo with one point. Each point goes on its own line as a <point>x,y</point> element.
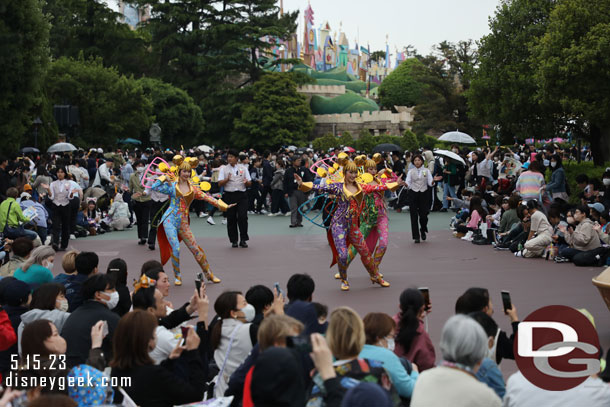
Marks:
<point>463,346</point>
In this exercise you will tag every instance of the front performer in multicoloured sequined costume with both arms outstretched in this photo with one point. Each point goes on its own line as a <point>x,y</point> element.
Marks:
<point>344,226</point>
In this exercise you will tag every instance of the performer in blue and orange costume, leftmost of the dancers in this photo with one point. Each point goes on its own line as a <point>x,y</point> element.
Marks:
<point>182,188</point>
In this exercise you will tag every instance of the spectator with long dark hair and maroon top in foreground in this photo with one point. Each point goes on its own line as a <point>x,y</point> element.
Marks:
<point>412,340</point>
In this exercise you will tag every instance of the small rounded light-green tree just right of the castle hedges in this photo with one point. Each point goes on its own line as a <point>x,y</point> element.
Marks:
<point>403,87</point>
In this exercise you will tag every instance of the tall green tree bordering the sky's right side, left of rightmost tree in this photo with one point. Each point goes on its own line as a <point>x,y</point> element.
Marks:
<point>503,89</point>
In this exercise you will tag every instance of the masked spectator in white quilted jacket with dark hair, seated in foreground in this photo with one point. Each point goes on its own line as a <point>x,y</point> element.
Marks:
<point>230,337</point>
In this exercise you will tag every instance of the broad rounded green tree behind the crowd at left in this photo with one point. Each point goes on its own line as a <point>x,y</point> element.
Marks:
<point>111,106</point>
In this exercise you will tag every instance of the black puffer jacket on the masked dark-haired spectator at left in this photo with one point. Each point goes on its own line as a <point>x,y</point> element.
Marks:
<point>77,331</point>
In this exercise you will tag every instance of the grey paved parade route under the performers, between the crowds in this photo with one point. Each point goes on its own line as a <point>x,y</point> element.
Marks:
<point>448,266</point>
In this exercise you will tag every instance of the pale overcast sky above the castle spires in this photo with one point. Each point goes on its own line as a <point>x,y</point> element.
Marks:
<point>421,23</point>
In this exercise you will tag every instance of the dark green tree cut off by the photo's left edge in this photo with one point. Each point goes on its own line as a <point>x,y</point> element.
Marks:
<point>24,57</point>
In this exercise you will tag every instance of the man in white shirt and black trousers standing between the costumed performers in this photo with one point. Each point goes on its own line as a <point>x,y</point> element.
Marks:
<point>235,178</point>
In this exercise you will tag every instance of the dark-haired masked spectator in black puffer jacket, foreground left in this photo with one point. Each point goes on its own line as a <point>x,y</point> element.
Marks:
<point>99,298</point>
